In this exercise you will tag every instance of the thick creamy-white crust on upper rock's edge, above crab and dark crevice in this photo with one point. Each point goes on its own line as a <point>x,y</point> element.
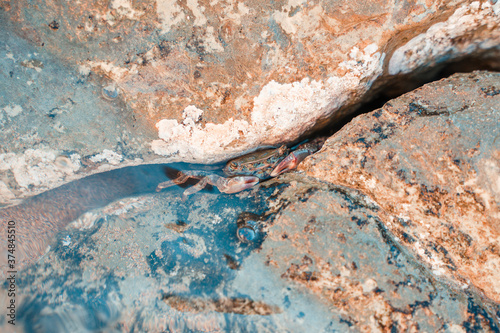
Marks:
<point>282,112</point>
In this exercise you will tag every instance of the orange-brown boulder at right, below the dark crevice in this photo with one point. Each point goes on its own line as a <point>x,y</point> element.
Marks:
<point>430,160</point>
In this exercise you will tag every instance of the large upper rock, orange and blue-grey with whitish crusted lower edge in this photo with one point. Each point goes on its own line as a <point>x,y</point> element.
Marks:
<point>124,82</point>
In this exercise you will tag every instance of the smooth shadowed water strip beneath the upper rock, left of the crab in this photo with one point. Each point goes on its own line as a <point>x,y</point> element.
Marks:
<point>41,217</point>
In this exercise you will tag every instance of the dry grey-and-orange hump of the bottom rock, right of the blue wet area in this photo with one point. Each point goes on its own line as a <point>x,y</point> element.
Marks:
<point>341,252</point>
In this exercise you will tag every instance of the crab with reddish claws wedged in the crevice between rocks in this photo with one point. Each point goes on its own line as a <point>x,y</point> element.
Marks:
<point>246,171</point>
